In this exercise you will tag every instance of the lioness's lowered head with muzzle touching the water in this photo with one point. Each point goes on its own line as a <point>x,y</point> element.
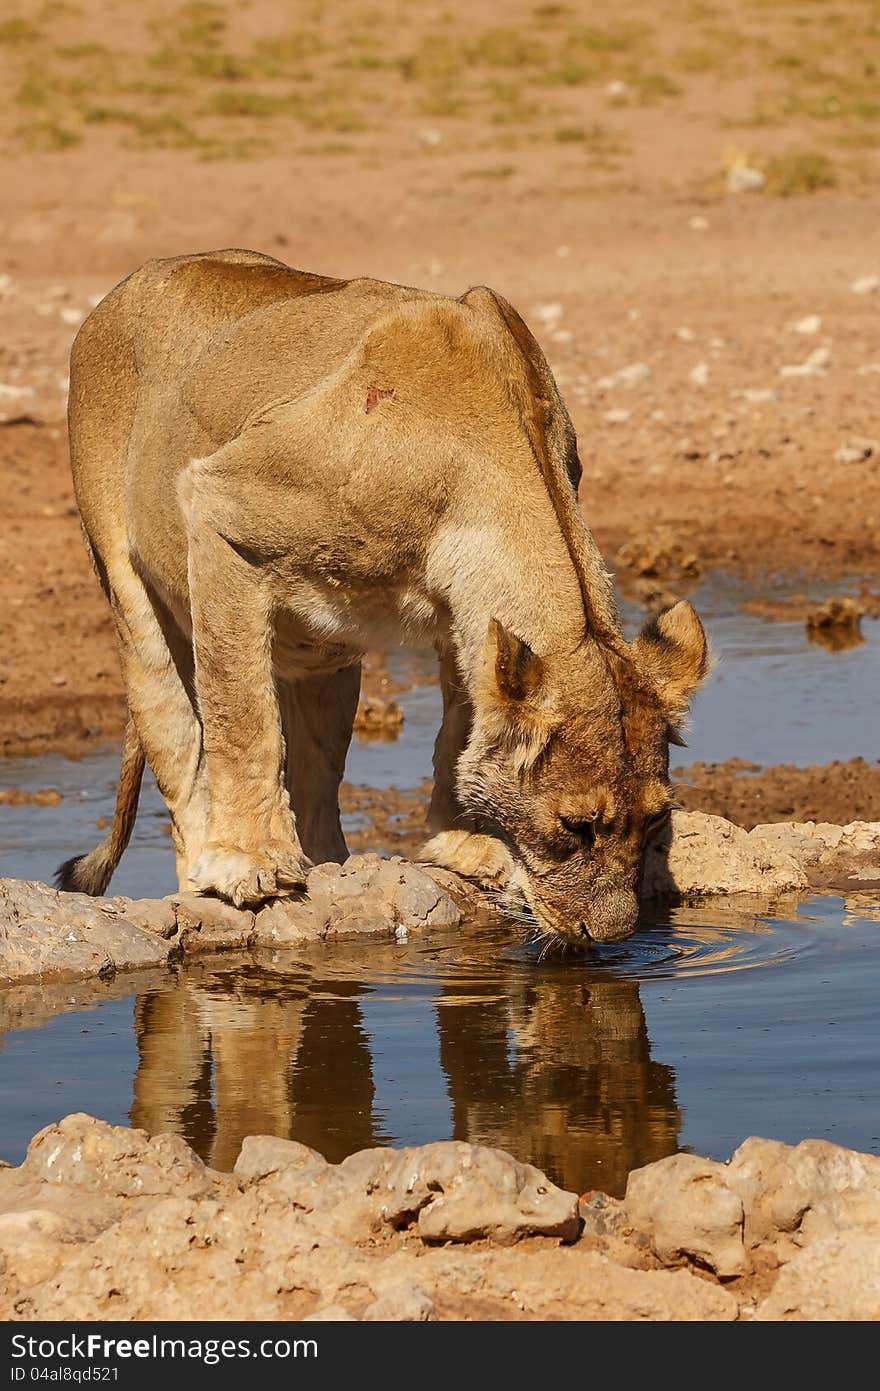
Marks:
<point>569,766</point>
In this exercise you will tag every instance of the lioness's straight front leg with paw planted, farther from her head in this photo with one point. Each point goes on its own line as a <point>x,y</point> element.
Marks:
<point>252,851</point>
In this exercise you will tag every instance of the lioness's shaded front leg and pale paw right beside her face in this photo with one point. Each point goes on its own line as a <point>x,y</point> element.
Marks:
<point>457,842</point>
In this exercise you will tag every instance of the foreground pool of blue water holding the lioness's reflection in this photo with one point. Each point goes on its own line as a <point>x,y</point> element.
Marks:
<point>703,1030</point>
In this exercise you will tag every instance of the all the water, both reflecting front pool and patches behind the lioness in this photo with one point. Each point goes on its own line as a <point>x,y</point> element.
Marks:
<point>714,1023</point>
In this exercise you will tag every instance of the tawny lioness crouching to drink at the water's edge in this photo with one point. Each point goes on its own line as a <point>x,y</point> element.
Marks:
<point>276,472</point>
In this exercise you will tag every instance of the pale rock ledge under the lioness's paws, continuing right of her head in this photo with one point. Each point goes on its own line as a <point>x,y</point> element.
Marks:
<point>48,937</point>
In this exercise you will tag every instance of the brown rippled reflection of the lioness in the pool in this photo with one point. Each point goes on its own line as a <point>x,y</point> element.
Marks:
<point>551,1065</point>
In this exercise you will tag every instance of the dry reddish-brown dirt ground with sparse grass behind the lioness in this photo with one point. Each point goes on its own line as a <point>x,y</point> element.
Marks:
<point>578,159</point>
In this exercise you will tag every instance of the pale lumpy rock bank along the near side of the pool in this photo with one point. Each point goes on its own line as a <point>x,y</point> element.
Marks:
<point>101,1222</point>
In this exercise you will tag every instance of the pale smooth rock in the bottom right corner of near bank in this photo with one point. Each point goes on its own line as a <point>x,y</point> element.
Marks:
<point>836,1279</point>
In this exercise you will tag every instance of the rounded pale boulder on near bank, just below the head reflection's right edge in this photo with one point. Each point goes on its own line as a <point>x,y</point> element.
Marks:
<point>687,1211</point>
